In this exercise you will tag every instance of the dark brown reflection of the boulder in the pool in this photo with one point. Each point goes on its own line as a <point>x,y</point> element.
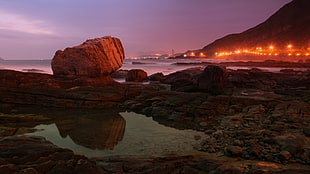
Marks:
<point>102,133</point>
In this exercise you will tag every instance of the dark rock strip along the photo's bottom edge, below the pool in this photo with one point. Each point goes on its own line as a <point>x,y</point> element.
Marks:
<point>36,155</point>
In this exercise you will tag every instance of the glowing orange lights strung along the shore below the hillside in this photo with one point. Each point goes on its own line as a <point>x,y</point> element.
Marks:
<point>259,51</point>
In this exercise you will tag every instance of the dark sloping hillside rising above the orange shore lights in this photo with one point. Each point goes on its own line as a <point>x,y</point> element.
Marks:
<point>289,25</point>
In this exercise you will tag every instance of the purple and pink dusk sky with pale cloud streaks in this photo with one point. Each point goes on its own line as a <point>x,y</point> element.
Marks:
<point>35,29</point>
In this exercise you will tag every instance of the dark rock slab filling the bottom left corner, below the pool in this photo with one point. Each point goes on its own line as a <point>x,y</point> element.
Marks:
<point>36,155</point>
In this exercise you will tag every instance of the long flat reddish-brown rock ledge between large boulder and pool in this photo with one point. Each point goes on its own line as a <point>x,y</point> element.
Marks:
<point>44,90</point>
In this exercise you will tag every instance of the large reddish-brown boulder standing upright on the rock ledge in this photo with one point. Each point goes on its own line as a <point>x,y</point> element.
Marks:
<point>94,58</point>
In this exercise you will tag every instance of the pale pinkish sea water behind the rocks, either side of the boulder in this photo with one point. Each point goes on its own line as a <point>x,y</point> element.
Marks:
<point>151,66</point>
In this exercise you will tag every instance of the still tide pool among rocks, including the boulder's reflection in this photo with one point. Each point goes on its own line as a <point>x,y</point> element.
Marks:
<point>126,134</point>
